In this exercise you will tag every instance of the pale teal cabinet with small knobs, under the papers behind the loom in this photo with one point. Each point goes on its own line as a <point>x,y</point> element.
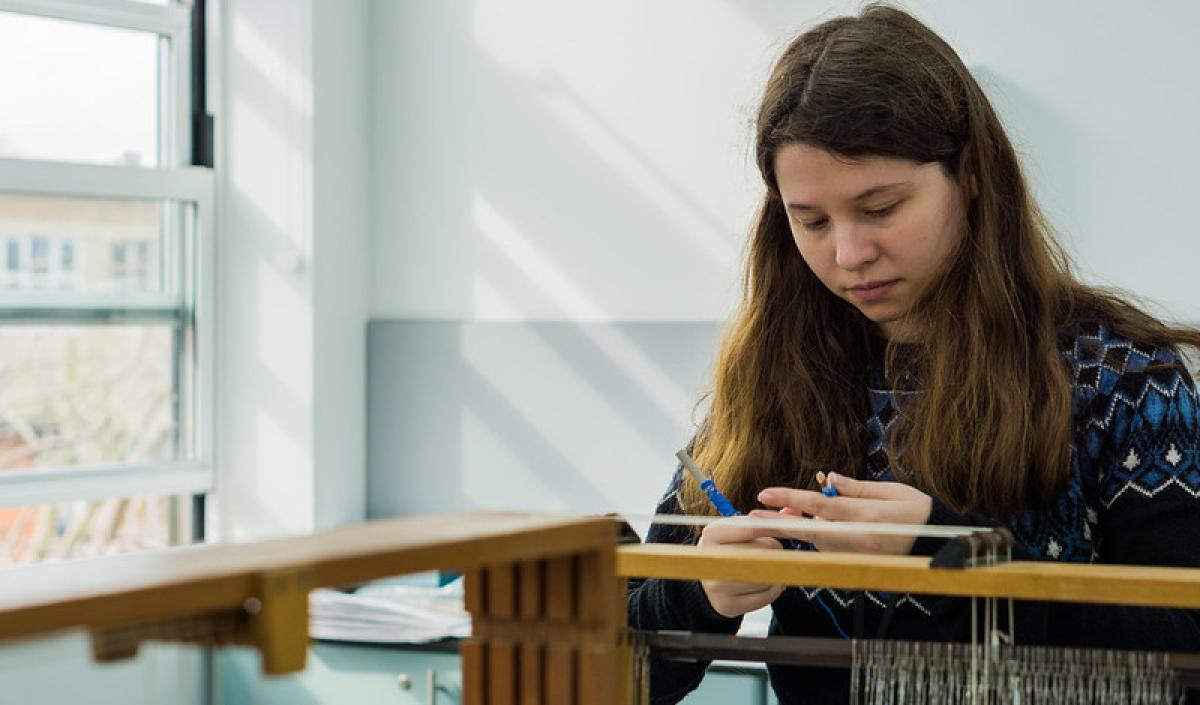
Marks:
<point>410,676</point>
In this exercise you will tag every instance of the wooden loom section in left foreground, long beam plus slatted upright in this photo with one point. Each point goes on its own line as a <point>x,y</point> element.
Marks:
<point>535,585</point>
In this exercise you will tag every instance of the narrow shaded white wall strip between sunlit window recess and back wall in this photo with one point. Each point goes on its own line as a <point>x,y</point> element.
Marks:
<point>341,273</point>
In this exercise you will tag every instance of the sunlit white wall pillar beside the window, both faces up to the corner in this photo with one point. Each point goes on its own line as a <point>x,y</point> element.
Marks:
<point>293,279</point>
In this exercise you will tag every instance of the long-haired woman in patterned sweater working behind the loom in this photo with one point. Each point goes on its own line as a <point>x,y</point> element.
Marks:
<point>910,326</point>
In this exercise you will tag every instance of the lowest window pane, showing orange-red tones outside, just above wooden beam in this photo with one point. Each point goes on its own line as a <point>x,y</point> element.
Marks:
<point>80,529</point>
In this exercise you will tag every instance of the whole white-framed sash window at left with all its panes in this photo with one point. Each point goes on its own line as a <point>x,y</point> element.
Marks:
<point>106,291</point>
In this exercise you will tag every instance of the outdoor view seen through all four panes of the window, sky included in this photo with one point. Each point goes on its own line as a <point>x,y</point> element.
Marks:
<point>83,393</point>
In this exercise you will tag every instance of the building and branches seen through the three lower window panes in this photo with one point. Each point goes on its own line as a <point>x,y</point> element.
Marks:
<point>83,395</point>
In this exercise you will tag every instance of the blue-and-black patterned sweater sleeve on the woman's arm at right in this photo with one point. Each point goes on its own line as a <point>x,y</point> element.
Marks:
<point>1139,448</point>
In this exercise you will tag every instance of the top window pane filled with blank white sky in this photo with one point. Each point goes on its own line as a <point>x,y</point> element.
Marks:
<point>79,93</point>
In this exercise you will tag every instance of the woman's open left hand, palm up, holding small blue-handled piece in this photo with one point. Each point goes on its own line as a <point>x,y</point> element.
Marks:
<point>860,501</point>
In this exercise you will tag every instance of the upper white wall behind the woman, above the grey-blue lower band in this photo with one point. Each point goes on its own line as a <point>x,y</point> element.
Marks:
<point>589,161</point>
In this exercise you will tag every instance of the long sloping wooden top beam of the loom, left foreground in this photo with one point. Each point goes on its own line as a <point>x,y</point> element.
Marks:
<point>209,580</point>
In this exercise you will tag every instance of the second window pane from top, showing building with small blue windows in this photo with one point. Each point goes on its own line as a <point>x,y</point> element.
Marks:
<point>86,245</point>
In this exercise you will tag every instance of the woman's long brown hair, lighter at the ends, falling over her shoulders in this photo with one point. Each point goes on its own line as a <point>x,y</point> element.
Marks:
<point>992,427</point>
